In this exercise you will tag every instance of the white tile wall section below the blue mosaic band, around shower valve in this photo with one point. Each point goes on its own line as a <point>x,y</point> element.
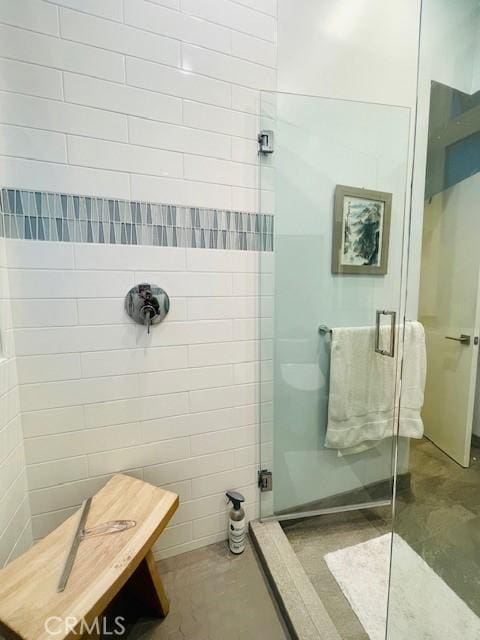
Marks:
<point>99,395</point>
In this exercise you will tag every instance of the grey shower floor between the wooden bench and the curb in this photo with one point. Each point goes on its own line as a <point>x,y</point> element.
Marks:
<point>214,596</point>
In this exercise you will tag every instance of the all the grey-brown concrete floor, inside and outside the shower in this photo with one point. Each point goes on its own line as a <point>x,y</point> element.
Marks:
<point>215,596</point>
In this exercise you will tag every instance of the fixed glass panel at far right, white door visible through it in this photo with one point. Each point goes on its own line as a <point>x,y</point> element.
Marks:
<point>435,552</point>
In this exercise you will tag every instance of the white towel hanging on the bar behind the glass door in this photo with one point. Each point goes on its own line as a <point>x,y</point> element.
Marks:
<point>364,388</point>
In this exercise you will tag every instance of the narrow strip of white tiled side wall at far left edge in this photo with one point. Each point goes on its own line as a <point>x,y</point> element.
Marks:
<point>15,525</point>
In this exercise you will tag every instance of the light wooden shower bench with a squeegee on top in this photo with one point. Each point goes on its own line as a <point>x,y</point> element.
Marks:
<point>104,565</point>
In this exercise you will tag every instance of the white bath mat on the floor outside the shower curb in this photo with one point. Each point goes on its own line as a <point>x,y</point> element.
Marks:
<point>422,605</point>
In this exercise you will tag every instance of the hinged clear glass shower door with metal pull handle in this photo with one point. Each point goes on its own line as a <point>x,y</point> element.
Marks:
<point>319,144</point>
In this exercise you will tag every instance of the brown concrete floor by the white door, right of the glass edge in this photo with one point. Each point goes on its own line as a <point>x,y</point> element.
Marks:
<point>440,519</point>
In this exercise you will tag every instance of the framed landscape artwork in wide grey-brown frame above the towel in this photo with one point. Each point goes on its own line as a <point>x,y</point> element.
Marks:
<point>361,230</point>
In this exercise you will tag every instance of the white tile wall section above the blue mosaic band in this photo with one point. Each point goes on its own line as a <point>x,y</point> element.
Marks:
<point>177,83</point>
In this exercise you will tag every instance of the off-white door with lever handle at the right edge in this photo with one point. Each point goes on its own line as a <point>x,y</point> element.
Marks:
<point>449,312</point>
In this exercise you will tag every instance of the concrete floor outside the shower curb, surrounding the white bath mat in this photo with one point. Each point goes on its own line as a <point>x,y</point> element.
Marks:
<point>439,517</point>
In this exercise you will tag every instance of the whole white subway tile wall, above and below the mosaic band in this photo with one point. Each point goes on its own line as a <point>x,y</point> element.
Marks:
<point>149,100</point>
